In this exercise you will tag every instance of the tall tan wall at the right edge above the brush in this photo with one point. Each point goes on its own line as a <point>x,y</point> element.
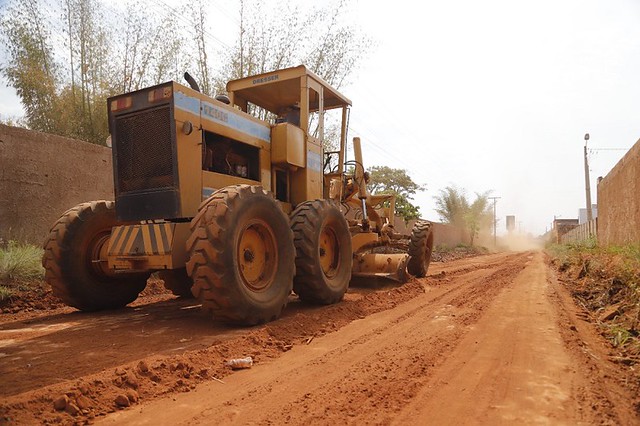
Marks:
<point>619,201</point>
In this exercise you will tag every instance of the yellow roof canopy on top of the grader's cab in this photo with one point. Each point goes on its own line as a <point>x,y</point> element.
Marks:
<point>277,90</point>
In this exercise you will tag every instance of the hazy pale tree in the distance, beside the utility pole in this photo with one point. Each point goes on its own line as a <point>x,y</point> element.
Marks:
<point>453,207</point>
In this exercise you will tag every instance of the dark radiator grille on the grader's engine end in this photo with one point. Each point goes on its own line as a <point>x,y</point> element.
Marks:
<point>144,150</point>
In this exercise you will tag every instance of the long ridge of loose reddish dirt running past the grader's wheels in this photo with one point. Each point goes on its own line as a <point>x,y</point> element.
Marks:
<point>79,401</point>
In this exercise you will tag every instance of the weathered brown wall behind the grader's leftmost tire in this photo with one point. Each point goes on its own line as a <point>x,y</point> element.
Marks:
<point>42,175</point>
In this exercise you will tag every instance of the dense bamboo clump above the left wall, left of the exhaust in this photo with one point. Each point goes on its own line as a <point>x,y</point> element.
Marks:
<point>64,88</point>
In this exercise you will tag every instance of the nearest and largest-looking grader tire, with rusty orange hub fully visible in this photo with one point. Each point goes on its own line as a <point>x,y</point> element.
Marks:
<point>241,256</point>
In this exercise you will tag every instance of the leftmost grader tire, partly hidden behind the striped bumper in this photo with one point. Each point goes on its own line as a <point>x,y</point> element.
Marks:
<point>71,254</point>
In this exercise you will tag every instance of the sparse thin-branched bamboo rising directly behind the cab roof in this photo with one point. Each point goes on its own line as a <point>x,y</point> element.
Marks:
<point>272,38</point>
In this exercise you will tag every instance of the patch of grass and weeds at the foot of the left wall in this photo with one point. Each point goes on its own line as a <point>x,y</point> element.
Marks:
<point>20,268</point>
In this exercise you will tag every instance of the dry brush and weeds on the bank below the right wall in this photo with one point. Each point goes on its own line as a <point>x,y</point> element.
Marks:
<point>606,282</point>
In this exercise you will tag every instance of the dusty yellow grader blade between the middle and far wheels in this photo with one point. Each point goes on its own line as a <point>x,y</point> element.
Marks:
<point>378,265</point>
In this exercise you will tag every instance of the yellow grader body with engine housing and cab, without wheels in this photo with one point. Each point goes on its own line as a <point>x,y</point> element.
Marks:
<point>174,146</point>
